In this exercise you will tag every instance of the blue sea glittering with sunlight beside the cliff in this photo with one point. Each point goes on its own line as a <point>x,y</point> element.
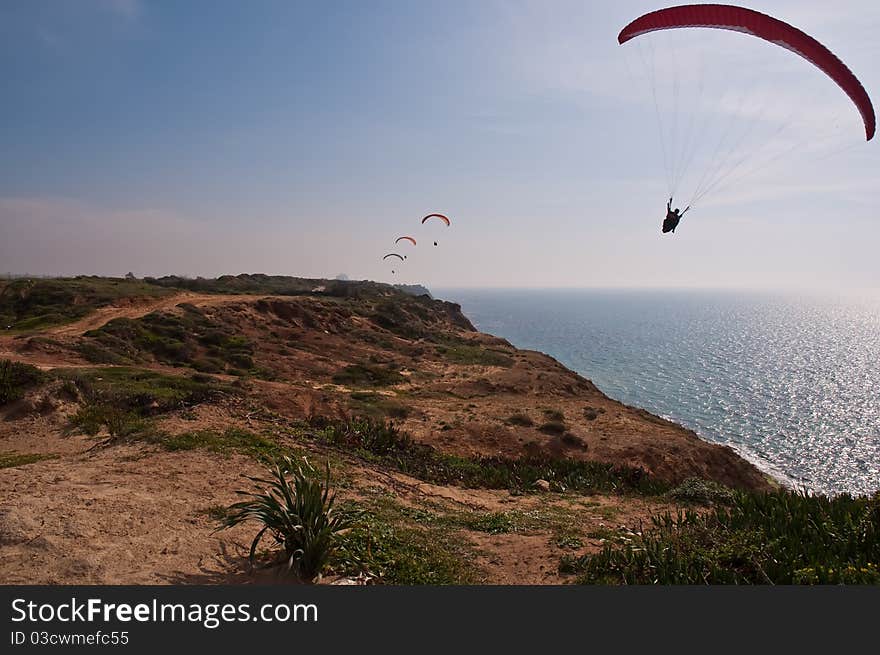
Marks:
<point>792,383</point>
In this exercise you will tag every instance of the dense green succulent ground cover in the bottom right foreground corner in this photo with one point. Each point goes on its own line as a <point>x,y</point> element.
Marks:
<point>771,538</point>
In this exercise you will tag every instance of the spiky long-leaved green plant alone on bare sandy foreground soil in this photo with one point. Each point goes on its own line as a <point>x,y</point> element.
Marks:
<point>296,510</point>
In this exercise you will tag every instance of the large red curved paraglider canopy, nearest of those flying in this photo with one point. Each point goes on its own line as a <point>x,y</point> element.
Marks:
<point>739,19</point>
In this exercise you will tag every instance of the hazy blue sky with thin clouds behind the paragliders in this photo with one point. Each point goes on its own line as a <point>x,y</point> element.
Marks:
<point>206,138</point>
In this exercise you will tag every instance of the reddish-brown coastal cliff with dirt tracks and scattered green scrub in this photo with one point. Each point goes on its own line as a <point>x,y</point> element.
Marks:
<point>154,395</point>
